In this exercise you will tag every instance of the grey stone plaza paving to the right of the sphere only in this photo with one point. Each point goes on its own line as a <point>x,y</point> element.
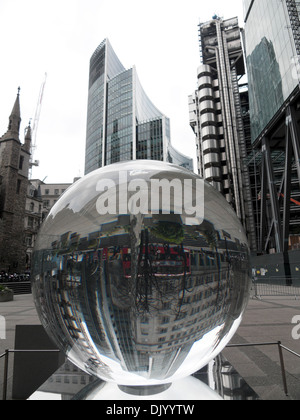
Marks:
<point>268,320</point>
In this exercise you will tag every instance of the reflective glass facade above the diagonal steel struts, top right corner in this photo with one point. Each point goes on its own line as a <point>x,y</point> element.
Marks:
<point>272,57</point>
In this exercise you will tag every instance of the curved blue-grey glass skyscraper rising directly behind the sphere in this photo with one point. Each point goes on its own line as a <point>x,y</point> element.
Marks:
<point>122,122</point>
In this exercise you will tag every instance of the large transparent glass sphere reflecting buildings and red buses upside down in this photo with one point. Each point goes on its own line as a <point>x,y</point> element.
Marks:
<point>141,273</point>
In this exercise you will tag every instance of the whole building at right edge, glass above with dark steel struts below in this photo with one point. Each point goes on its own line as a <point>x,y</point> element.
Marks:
<point>272,43</point>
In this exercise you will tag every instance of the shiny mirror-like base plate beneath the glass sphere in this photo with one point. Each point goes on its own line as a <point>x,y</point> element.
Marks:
<point>218,380</point>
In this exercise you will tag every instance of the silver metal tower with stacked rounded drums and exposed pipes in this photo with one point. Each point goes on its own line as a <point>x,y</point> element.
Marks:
<point>217,120</point>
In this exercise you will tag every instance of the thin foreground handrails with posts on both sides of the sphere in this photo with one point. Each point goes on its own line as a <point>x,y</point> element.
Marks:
<point>280,346</point>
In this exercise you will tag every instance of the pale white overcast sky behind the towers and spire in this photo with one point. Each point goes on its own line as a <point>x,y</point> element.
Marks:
<point>58,37</point>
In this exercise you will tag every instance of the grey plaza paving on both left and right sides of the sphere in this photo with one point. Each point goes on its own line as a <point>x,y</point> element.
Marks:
<point>267,320</point>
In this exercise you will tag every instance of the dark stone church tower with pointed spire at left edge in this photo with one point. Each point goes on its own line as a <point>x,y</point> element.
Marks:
<point>14,169</point>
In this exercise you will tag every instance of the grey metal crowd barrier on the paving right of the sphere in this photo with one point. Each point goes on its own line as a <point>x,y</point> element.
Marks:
<point>275,286</point>
